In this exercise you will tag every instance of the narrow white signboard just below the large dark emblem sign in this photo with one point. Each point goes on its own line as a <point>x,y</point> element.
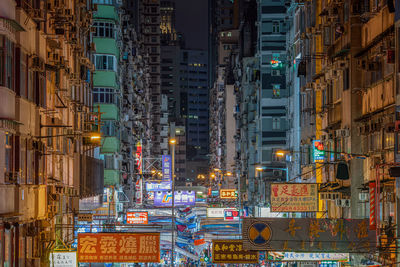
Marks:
<point>294,256</point>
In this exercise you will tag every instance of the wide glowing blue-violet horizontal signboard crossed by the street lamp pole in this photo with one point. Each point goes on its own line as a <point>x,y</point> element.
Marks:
<point>182,198</point>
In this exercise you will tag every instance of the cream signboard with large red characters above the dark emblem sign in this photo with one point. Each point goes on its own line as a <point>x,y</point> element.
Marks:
<point>294,197</point>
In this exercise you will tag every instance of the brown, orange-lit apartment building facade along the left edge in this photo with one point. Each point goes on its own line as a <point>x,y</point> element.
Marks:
<point>48,126</point>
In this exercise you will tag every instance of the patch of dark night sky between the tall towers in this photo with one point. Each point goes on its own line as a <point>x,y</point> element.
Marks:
<point>192,21</point>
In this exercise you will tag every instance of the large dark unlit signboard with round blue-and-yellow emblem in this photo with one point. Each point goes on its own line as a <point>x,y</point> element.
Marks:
<point>308,235</point>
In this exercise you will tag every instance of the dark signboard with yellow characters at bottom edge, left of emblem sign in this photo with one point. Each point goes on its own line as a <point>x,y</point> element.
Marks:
<point>231,251</point>
